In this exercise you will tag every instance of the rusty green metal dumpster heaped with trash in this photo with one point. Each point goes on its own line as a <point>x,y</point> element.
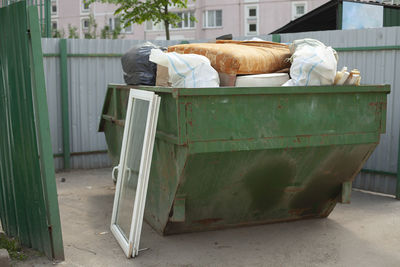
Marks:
<point>227,157</point>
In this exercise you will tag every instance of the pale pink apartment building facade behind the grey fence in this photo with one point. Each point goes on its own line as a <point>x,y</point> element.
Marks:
<point>214,18</point>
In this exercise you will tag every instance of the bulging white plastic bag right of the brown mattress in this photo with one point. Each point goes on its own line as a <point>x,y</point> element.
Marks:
<point>313,63</point>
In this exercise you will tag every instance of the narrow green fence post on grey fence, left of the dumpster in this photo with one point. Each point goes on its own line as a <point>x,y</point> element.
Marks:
<point>65,102</point>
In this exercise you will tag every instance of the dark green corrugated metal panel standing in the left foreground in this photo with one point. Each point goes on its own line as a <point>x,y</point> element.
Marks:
<point>28,194</point>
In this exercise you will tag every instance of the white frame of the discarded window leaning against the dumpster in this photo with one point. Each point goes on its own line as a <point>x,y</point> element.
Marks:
<point>131,246</point>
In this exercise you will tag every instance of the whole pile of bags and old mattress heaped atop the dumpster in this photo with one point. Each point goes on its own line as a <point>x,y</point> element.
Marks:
<point>305,62</point>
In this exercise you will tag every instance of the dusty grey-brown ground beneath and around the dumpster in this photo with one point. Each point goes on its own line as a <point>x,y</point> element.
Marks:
<point>364,233</point>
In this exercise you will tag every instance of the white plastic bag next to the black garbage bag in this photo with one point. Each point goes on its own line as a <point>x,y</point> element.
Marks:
<point>186,70</point>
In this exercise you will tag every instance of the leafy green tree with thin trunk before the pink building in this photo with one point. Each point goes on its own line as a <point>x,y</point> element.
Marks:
<point>139,11</point>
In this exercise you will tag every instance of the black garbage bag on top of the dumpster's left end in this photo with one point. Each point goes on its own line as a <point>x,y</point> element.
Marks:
<point>138,70</point>
